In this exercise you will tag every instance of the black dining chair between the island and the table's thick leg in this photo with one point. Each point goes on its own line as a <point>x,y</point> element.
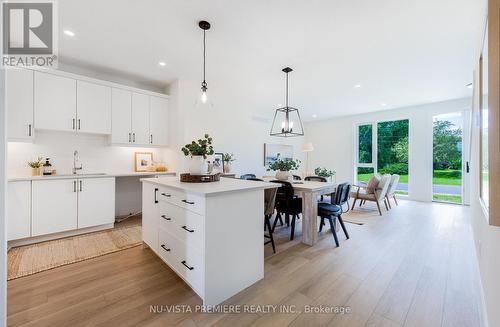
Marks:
<point>287,204</point>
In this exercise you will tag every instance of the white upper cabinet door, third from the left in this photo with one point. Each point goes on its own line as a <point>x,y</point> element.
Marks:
<point>93,108</point>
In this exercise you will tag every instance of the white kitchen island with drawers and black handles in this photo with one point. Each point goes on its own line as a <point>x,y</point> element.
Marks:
<point>210,234</point>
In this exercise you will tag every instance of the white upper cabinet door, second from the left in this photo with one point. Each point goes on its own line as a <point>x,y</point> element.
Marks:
<point>55,102</point>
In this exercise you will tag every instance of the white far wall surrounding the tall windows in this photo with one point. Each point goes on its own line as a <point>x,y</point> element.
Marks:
<point>334,142</point>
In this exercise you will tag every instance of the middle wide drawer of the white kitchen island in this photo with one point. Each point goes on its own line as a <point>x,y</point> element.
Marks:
<point>185,225</point>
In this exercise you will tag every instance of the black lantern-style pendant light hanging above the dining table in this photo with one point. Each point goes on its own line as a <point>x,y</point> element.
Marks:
<point>287,120</point>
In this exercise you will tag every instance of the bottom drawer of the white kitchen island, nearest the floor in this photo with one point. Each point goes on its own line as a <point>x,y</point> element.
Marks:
<point>184,259</point>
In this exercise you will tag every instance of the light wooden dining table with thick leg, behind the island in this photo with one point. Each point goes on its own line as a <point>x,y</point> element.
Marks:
<point>309,191</point>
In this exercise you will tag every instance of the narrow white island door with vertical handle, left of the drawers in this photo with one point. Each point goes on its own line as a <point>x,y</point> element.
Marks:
<point>150,215</point>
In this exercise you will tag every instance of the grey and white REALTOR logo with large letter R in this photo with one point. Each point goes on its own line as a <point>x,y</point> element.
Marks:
<point>29,37</point>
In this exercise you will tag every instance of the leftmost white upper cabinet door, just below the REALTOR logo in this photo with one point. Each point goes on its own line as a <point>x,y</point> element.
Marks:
<point>19,103</point>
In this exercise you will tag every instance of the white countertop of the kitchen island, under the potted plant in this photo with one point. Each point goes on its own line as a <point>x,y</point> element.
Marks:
<point>213,188</point>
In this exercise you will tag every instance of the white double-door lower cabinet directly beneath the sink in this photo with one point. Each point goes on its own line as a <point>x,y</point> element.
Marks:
<point>61,205</point>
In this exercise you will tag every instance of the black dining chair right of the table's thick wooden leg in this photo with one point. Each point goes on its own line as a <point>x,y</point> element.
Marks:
<point>332,211</point>
